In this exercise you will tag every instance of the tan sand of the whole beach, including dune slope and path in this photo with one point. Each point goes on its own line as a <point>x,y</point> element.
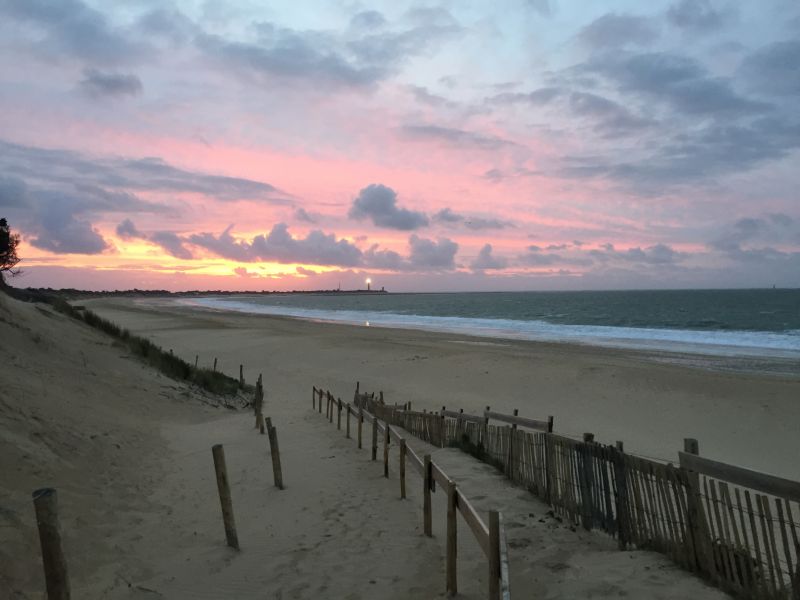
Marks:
<point>130,453</point>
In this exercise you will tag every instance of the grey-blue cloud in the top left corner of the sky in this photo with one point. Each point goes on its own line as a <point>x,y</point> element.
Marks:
<point>74,29</point>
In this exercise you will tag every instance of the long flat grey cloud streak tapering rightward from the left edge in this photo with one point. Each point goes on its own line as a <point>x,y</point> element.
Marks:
<point>65,167</point>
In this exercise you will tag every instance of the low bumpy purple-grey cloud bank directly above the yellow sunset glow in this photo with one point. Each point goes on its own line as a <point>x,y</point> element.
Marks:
<point>278,245</point>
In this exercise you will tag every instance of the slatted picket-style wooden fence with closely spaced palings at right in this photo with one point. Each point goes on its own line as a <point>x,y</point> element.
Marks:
<point>735,527</point>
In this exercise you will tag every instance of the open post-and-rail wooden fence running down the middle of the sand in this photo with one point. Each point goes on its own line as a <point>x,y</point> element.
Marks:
<point>490,536</point>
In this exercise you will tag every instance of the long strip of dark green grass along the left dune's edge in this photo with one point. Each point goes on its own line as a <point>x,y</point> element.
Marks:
<point>168,364</point>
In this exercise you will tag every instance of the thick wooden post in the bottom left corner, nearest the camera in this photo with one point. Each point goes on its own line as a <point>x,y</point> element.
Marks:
<point>45,502</point>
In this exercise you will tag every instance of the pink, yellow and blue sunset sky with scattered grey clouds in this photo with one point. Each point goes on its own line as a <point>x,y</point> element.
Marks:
<point>429,146</point>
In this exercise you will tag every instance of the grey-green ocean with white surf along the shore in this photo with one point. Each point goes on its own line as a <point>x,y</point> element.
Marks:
<point>759,323</point>
